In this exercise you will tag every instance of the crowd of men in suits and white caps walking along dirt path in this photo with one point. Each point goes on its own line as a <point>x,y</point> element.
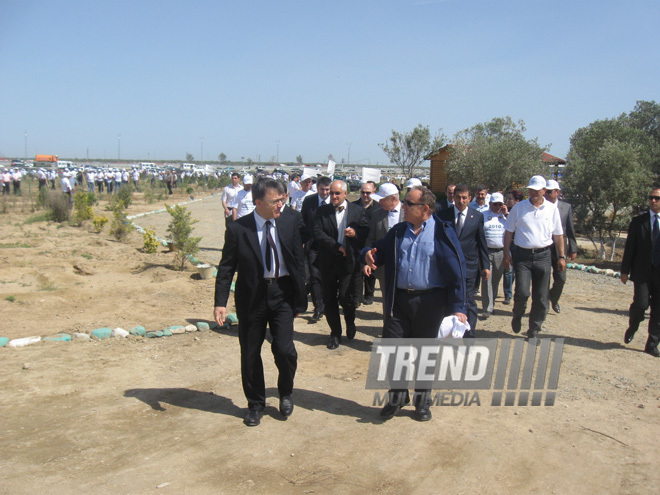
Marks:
<point>432,259</point>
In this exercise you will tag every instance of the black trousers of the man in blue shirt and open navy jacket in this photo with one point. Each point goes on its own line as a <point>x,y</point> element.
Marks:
<point>415,315</point>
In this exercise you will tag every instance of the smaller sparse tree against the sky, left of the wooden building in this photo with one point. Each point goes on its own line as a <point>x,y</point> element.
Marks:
<point>407,150</point>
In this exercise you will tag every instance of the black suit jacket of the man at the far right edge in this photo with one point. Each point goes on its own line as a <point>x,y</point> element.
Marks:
<point>637,259</point>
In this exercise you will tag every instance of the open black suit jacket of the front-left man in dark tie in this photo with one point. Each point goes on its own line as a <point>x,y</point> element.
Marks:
<point>242,253</point>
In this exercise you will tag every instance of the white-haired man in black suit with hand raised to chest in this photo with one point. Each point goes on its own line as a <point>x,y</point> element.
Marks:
<point>340,230</point>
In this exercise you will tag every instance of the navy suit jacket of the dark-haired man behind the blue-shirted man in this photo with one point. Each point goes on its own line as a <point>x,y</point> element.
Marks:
<point>473,240</point>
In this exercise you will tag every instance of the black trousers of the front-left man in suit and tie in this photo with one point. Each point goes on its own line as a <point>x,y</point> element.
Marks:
<point>276,312</point>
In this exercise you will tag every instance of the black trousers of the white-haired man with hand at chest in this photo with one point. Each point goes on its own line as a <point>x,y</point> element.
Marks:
<point>338,288</point>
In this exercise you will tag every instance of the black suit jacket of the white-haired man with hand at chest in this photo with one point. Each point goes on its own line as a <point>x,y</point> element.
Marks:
<point>325,235</point>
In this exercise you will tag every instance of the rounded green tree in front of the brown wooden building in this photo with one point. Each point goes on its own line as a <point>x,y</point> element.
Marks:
<point>496,154</point>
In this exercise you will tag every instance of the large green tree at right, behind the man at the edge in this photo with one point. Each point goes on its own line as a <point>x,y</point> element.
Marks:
<point>607,174</point>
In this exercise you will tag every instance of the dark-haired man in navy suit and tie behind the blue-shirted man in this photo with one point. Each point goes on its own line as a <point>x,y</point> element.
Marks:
<point>469,225</point>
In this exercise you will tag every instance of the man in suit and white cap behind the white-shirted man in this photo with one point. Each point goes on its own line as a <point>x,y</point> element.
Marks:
<point>570,243</point>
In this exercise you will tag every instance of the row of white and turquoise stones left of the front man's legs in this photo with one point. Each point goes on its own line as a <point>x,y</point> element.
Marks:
<point>107,332</point>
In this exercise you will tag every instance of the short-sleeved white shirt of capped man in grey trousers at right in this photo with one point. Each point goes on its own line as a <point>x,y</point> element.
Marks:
<point>534,227</point>
